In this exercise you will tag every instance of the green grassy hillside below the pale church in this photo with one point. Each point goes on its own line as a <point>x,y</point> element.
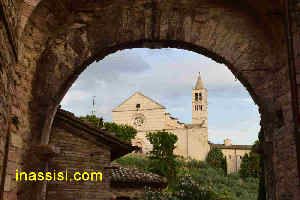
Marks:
<point>232,186</point>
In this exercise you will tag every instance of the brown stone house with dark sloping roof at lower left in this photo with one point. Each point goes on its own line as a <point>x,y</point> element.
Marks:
<point>83,148</point>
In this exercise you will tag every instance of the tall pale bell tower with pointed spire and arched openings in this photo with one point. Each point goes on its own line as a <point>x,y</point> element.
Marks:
<point>199,103</point>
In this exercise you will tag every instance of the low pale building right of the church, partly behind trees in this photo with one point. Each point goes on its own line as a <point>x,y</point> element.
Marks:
<point>232,153</point>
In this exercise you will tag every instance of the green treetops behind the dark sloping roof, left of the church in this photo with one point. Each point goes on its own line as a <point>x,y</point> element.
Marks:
<point>124,132</point>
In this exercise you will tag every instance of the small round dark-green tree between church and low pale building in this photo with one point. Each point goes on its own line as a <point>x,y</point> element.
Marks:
<point>215,158</point>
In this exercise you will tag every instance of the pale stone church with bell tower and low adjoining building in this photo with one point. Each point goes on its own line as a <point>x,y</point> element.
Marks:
<point>147,115</point>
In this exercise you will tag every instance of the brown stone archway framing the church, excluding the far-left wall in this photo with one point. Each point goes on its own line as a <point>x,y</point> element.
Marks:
<point>60,39</point>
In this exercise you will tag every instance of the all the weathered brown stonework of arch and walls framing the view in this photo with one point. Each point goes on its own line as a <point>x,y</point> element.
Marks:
<point>57,41</point>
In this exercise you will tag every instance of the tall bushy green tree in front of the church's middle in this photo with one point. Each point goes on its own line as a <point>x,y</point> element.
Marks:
<point>162,156</point>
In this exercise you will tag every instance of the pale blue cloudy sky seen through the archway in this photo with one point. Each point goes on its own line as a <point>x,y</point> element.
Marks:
<point>167,76</point>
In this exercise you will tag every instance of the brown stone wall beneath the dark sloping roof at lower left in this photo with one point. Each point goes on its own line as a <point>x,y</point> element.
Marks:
<point>78,154</point>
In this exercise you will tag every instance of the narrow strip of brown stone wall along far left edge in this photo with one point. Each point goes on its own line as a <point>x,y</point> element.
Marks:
<point>10,121</point>
